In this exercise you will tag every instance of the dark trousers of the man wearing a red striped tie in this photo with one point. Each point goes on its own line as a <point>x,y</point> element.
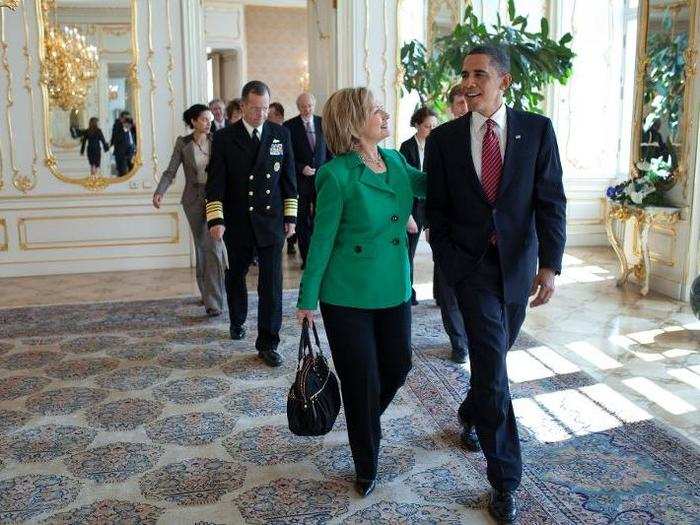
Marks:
<point>492,327</point>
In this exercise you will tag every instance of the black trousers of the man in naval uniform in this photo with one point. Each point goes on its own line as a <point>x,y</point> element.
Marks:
<point>269,289</point>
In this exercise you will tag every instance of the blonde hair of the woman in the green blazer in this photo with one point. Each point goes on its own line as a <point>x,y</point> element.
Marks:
<point>344,117</point>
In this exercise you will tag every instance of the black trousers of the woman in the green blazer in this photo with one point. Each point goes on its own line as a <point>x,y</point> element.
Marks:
<point>371,352</point>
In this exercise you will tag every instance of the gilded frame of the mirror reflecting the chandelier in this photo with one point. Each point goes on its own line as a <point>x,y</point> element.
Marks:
<point>92,182</point>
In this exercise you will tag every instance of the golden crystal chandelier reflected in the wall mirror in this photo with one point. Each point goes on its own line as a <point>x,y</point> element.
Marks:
<point>70,66</point>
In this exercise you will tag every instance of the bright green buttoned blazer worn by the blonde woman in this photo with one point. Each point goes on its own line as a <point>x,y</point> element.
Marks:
<point>358,255</point>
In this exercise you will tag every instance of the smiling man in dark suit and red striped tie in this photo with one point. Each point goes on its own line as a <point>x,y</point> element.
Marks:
<point>497,214</point>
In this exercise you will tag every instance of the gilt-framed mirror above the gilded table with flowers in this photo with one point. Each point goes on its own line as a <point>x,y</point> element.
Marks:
<point>663,73</point>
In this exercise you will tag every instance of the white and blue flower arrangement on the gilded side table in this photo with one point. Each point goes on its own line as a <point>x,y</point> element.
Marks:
<point>643,190</point>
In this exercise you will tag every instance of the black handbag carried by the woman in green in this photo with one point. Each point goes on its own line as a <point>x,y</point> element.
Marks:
<point>314,398</point>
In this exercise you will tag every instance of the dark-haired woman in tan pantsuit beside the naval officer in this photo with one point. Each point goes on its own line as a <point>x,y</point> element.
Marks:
<point>192,151</point>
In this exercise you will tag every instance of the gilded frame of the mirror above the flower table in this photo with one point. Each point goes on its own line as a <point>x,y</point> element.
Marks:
<point>680,173</point>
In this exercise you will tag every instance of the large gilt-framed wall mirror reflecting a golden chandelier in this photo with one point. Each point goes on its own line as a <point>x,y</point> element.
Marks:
<point>89,63</point>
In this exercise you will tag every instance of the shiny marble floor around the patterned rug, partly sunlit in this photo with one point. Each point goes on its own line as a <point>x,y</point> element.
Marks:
<point>643,351</point>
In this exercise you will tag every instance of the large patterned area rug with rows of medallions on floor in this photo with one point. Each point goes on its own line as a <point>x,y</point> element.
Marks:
<point>145,412</point>
